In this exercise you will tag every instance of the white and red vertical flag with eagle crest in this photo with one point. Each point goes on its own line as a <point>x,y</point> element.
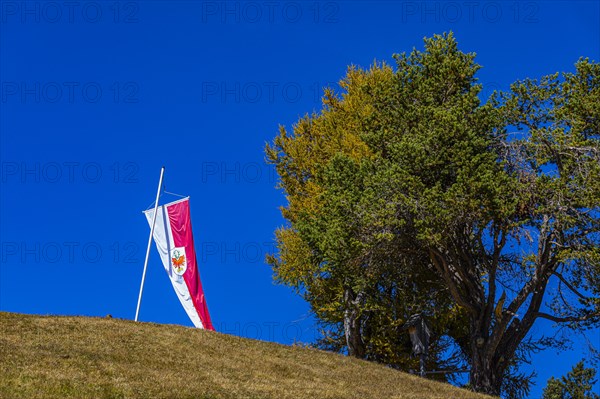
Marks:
<point>175,244</point>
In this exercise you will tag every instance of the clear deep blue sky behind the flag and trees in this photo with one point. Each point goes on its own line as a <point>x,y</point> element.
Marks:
<point>96,96</point>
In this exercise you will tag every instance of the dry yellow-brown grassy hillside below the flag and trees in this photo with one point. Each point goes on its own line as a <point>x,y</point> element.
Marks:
<point>80,357</point>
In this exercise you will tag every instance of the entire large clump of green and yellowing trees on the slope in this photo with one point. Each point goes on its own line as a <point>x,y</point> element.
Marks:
<point>406,188</point>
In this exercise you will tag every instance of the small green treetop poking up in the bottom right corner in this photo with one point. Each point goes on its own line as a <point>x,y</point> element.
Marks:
<point>577,384</point>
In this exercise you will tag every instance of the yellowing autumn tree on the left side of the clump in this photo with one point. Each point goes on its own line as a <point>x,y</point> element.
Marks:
<point>341,251</point>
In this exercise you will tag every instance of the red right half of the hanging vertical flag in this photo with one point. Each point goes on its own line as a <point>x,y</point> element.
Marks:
<point>181,228</point>
